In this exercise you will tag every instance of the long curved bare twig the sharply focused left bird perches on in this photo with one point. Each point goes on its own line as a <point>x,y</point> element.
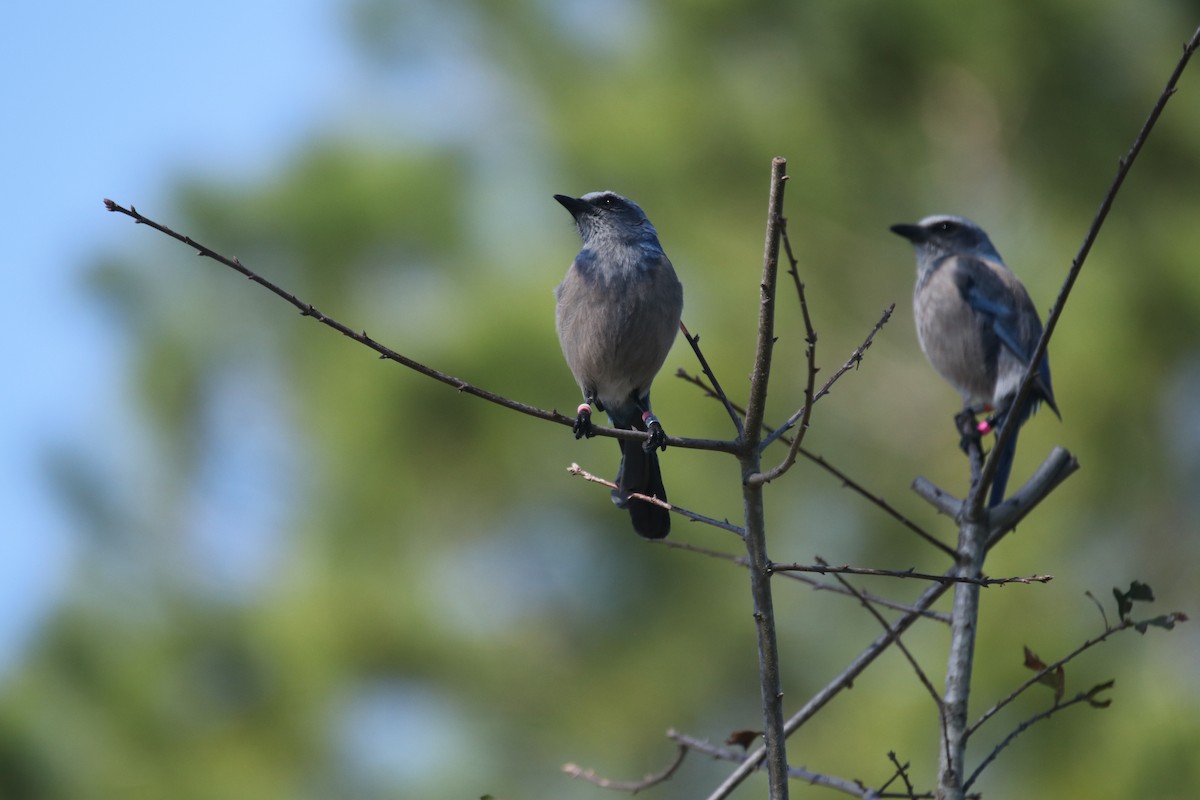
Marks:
<point>309,310</point>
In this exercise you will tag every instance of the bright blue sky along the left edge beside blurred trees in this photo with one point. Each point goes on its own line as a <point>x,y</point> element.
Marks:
<point>112,100</point>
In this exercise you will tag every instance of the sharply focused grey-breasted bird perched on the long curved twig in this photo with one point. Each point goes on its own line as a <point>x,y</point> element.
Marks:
<point>619,311</point>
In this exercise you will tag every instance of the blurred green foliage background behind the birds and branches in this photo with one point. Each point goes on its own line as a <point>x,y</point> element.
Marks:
<point>319,575</point>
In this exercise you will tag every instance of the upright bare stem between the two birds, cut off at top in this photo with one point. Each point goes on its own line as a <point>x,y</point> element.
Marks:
<point>755,522</point>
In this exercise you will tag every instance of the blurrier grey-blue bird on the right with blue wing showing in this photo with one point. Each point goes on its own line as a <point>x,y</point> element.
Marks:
<point>977,326</point>
